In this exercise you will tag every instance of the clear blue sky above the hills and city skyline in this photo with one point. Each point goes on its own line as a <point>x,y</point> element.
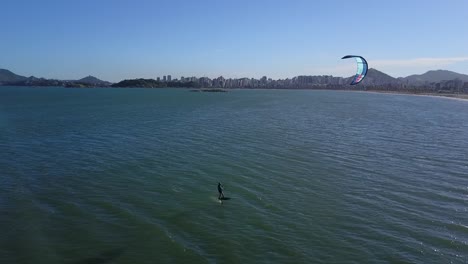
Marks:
<point>114,39</point>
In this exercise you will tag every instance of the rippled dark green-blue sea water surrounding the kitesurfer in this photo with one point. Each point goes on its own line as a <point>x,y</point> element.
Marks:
<point>129,176</point>
